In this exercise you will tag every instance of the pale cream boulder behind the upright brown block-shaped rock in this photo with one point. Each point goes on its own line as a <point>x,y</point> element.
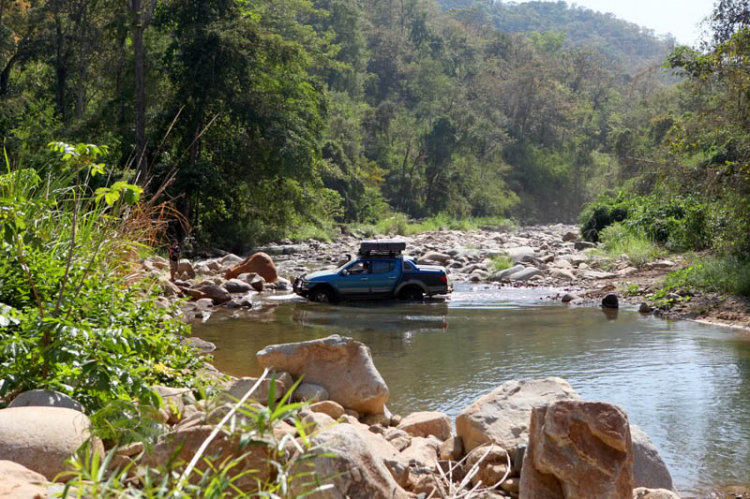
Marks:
<point>502,416</point>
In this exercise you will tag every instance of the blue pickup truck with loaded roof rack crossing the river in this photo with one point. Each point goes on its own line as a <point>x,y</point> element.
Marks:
<point>379,271</point>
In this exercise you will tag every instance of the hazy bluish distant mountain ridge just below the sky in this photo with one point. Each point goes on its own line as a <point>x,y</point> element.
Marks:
<point>625,43</point>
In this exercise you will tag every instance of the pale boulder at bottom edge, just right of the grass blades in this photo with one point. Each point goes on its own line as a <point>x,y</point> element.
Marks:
<point>352,464</point>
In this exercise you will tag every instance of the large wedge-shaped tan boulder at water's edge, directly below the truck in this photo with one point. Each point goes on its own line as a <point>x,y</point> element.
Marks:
<point>341,365</point>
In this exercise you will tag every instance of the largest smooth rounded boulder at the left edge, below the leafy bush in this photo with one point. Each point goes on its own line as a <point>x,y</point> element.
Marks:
<point>42,438</point>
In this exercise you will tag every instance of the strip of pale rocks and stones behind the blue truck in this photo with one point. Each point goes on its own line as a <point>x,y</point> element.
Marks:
<point>551,256</point>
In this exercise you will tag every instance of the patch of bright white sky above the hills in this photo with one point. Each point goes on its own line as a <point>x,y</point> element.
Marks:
<point>679,17</point>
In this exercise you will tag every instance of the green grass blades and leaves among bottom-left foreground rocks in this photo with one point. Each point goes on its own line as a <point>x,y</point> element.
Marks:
<point>290,457</point>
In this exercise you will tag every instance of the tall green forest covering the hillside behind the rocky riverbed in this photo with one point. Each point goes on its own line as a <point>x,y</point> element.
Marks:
<point>257,119</point>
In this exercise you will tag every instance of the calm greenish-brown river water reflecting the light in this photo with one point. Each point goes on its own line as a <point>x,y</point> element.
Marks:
<point>687,385</point>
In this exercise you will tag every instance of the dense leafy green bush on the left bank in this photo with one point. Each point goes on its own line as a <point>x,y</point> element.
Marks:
<point>76,324</point>
